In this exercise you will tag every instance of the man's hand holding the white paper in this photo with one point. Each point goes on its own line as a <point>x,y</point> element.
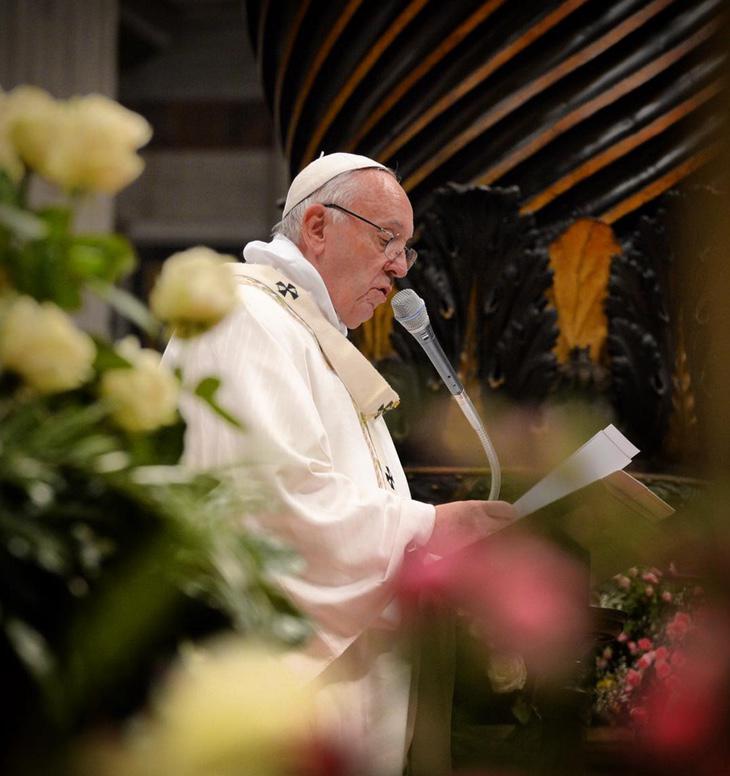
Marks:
<point>460,523</point>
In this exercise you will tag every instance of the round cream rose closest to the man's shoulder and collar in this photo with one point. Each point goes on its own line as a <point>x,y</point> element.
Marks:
<point>194,291</point>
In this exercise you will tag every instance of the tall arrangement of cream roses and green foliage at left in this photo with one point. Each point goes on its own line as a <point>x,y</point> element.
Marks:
<point>108,545</point>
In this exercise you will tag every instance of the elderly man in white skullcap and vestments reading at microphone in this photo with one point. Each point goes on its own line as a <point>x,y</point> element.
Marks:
<point>313,407</point>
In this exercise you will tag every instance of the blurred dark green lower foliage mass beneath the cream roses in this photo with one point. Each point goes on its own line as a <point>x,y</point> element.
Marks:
<point>103,537</point>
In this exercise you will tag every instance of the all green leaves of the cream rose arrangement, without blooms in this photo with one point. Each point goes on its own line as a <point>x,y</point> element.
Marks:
<point>111,552</point>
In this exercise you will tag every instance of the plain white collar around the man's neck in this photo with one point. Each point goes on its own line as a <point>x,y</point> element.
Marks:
<point>282,254</point>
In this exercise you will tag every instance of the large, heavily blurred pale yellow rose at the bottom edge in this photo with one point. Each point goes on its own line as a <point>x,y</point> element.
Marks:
<point>234,710</point>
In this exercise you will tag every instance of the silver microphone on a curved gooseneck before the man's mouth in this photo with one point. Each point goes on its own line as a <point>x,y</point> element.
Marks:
<point>410,311</point>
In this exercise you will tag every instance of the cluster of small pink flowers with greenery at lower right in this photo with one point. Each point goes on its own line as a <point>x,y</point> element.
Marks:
<point>662,611</point>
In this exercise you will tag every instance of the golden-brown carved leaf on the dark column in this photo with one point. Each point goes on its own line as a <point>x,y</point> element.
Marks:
<point>581,259</point>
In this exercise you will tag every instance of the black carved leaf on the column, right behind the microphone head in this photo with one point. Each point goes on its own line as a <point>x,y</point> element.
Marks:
<point>483,273</point>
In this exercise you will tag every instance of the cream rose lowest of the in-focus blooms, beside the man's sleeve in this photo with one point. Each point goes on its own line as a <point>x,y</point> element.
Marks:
<point>144,396</point>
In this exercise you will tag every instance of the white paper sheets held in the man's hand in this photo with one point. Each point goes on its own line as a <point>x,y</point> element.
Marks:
<point>606,452</point>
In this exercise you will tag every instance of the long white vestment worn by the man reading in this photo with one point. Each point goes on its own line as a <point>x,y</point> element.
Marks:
<point>343,499</point>
